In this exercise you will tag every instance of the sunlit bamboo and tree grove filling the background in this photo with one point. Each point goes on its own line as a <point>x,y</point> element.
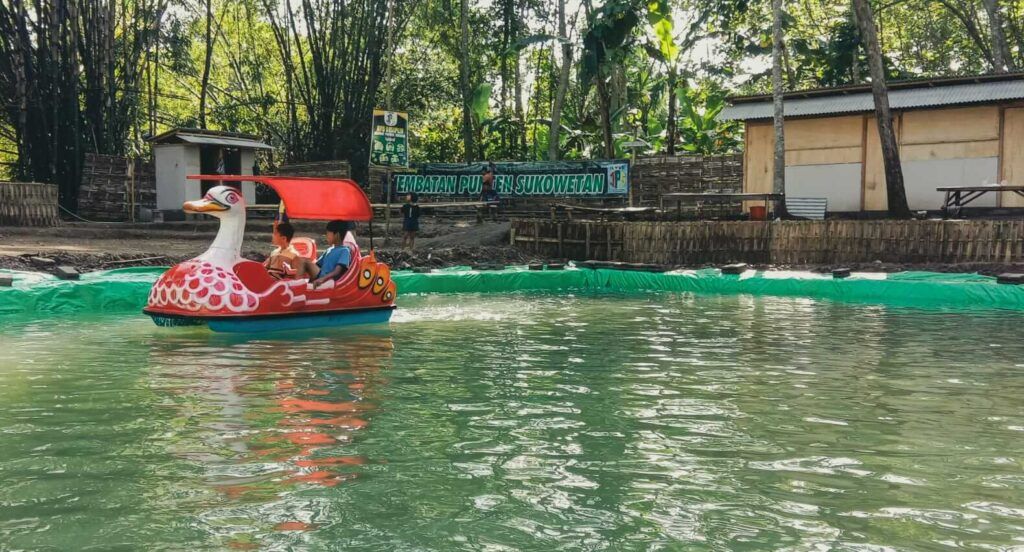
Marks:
<point>482,79</point>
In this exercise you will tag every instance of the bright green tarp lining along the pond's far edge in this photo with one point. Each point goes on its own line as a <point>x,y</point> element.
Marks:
<point>126,290</point>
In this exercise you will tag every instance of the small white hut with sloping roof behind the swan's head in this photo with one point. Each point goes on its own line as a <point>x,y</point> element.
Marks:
<point>182,152</point>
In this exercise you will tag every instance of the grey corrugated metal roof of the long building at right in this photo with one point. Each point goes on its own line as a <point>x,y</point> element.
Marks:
<point>899,100</point>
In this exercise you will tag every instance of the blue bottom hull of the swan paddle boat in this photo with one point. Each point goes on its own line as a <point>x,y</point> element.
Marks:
<point>279,323</point>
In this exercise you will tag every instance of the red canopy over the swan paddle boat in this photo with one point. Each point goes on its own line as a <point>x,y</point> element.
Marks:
<point>319,199</point>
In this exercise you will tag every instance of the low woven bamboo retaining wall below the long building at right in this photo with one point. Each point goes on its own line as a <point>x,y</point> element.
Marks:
<point>831,242</point>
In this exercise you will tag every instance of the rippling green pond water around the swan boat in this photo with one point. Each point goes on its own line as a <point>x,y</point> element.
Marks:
<point>522,422</point>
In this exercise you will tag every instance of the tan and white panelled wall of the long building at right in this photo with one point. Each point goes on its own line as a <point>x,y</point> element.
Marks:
<point>840,158</point>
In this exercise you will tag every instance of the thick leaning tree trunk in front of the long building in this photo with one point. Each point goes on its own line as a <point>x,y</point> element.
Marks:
<point>895,192</point>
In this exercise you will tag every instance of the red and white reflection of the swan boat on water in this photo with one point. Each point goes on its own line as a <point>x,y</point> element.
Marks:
<point>265,416</point>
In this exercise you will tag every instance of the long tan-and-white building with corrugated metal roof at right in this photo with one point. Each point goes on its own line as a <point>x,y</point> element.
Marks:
<point>953,132</point>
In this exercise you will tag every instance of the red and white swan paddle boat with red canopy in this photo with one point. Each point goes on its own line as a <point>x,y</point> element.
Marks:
<point>229,293</point>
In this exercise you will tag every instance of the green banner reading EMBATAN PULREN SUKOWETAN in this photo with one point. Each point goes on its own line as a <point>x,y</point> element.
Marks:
<point>556,180</point>
